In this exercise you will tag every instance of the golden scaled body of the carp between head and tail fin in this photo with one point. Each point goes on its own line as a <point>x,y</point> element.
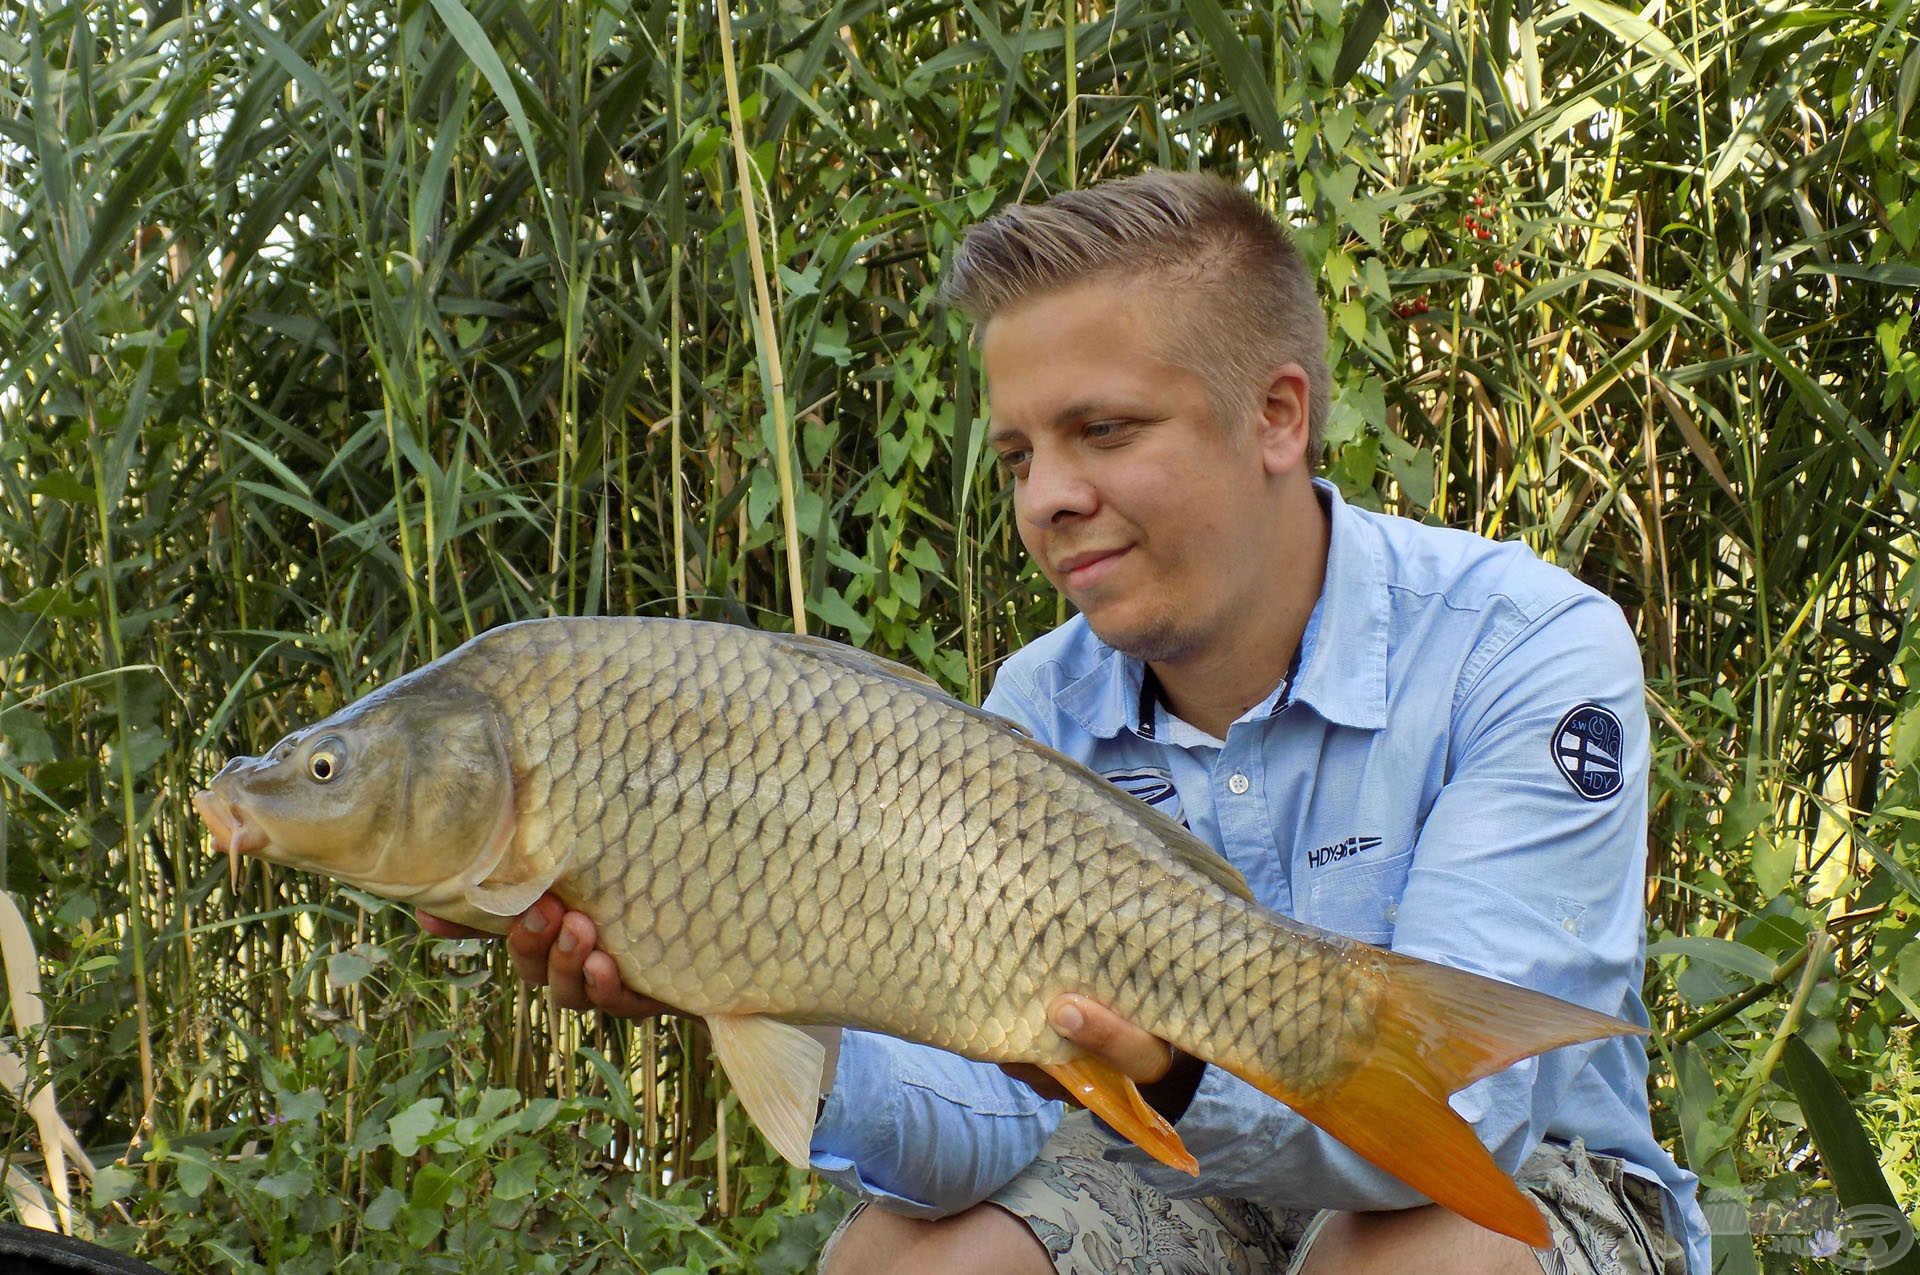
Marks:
<point>761,829</point>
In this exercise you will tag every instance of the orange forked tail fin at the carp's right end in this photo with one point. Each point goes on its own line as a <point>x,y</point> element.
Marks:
<point>1441,1030</point>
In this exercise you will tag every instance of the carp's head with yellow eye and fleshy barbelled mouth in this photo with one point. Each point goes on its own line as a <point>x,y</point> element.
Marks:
<point>406,792</point>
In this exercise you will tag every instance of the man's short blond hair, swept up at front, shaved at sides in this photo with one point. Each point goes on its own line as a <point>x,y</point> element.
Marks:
<point>1243,302</point>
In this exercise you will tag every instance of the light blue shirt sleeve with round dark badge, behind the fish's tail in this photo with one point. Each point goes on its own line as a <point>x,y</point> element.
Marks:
<point>1520,875</point>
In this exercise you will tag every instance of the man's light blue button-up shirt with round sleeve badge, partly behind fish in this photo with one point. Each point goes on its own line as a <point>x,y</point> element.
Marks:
<point>1456,769</point>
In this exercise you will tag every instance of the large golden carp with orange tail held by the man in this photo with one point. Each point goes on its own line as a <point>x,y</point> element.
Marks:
<point>782,834</point>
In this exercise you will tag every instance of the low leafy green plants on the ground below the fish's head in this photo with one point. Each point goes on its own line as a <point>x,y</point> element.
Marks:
<point>435,1172</point>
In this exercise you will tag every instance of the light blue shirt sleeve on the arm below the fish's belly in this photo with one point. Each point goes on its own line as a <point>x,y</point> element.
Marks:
<point>923,1132</point>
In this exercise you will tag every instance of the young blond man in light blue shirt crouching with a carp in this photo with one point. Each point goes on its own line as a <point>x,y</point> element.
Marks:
<point>1397,733</point>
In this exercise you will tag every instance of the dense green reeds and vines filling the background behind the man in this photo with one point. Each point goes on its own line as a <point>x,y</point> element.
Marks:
<point>335,335</point>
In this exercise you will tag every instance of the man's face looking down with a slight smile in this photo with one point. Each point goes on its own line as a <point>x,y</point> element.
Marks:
<point>1128,493</point>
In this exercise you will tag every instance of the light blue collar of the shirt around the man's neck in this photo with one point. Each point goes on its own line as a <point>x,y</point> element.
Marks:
<point>1339,667</point>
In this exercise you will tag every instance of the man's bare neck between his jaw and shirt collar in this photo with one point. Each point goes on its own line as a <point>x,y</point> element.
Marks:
<point>1216,686</point>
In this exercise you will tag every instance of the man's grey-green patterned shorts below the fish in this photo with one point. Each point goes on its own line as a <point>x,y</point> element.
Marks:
<point>1099,1218</point>
